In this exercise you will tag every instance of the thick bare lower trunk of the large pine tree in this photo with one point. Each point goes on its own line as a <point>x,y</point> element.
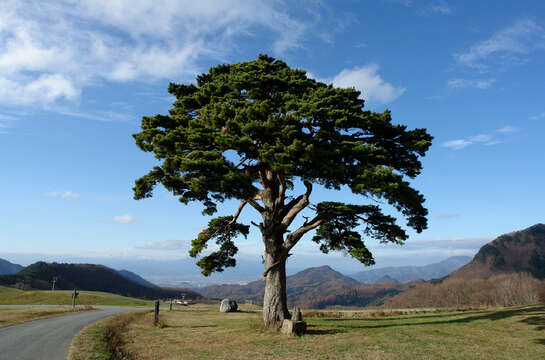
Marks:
<point>275,307</point>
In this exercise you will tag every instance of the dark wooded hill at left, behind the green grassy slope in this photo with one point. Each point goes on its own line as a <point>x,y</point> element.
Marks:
<point>89,277</point>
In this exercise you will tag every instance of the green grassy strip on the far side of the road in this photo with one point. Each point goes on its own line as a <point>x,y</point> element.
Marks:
<point>11,296</point>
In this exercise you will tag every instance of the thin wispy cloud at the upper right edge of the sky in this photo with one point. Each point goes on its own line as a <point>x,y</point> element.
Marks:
<point>507,44</point>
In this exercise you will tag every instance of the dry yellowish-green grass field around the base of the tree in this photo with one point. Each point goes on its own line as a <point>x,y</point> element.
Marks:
<point>204,333</point>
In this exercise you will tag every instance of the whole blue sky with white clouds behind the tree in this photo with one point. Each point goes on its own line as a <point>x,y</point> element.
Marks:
<point>77,76</point>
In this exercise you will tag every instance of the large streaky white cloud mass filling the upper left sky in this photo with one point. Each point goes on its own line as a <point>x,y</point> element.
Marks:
<point>50,50</point>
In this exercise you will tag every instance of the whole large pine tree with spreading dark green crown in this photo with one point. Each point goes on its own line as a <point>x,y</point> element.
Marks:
<point>250,131</point>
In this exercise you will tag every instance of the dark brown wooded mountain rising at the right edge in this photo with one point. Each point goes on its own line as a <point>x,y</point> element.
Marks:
<point>520,251</point>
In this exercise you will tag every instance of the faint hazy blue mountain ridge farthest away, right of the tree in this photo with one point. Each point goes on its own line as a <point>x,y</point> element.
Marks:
<point>404,274</point>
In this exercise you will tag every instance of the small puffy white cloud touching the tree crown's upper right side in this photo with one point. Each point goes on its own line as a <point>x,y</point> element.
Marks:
<point>367,80</point>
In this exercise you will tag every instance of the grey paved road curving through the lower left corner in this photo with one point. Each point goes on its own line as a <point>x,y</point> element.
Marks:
<point>49,339</point>
